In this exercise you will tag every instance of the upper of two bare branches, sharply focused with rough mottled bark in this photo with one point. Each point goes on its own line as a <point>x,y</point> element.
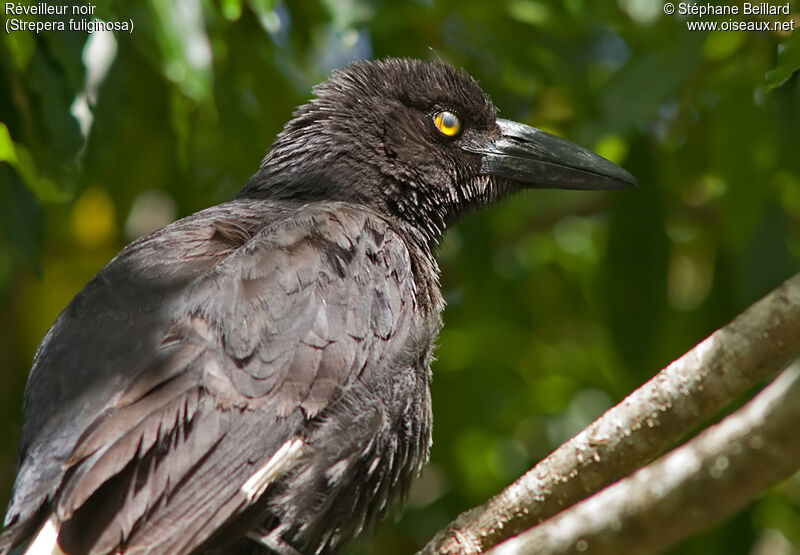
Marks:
<point>757,344</point>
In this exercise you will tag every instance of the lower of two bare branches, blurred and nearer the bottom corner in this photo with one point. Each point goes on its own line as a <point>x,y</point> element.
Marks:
<point>685,491</point>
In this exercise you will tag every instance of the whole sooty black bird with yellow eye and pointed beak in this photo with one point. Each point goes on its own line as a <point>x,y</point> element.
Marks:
<point>256,375</point>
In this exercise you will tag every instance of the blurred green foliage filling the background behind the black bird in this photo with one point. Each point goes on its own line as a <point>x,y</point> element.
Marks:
<point>559,303</point>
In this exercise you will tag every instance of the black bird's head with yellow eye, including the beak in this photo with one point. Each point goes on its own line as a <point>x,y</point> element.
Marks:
<point>420,143</point>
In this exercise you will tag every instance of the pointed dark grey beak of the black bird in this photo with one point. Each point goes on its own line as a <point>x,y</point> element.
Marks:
<point>540,160</point>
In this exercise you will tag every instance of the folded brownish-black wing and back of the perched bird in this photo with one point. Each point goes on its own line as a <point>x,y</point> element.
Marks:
<point>193,357</point>
